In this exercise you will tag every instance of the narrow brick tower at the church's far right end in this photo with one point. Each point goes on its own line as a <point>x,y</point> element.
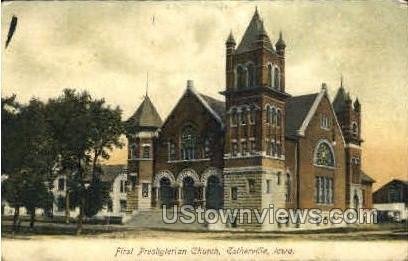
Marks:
<point>349,116</point>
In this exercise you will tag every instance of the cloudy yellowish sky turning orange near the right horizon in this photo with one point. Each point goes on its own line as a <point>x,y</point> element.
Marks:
<point>107,48</point>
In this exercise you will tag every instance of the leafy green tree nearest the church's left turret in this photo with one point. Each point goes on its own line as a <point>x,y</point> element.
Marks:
<point>85,130</point>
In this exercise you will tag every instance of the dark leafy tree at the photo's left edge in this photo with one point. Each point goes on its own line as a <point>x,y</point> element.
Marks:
<point>28,156</point>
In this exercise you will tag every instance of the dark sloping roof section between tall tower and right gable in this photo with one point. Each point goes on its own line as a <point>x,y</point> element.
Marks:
<point>297,108</point>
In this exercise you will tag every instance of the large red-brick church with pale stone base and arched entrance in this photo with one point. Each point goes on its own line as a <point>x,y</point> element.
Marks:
<point>260,146</point>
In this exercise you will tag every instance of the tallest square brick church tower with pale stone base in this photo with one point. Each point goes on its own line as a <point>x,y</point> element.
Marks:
<point>255,121</point>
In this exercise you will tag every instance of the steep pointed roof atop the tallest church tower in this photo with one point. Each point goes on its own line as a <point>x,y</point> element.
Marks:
<point>252,33</point>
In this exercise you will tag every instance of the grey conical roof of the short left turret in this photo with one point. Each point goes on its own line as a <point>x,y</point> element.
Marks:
<point>145,116</point>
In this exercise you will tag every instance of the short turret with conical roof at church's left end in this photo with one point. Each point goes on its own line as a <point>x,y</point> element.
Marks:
<point>141,132</point>
